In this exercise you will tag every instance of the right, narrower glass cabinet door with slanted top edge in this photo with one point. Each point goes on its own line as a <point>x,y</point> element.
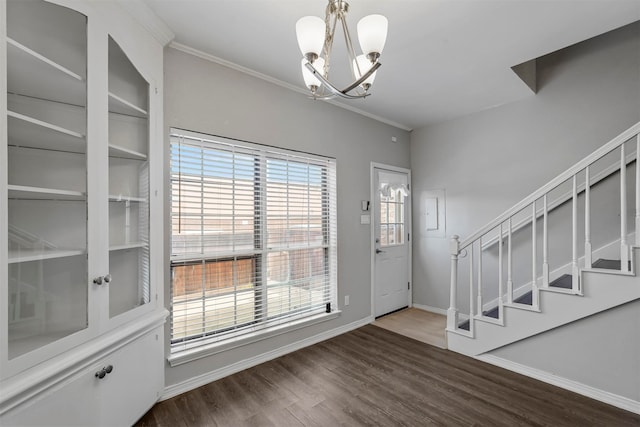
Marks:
<point>128,184</point>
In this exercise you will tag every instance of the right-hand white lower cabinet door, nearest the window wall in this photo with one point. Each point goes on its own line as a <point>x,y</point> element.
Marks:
<point>135,381</point>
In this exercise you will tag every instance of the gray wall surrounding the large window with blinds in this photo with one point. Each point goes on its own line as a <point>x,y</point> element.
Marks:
<point>205,97</point>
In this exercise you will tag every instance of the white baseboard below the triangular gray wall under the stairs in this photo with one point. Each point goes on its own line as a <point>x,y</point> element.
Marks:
<point>567,384</point>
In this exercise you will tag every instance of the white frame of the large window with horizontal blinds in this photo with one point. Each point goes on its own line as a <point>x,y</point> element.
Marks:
<point>183,348</point>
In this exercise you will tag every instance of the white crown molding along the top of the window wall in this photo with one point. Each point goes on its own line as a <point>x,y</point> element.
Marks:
<point>217,60</point>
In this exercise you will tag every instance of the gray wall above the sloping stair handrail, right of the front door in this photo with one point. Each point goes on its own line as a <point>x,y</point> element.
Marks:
<point>488,161</point>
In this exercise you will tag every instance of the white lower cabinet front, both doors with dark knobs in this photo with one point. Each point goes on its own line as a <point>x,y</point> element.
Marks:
<point>116,390</point>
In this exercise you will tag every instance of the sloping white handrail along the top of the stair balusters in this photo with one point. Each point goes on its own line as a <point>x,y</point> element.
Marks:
<point>593,157</point>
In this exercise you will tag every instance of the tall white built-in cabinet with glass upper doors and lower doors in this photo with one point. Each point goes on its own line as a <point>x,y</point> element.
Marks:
<point>81,272</point>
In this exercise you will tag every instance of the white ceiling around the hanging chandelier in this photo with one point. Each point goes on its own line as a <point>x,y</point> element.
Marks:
<point>443,58</point>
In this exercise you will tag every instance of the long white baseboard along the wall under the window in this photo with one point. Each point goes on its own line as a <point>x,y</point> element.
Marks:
<point>200,380</point>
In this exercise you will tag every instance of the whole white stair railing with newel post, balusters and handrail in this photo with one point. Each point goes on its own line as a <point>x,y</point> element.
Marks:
<point>459,248</point>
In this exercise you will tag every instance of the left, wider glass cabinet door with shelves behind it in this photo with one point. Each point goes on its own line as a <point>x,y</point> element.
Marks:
<point>47,174</point>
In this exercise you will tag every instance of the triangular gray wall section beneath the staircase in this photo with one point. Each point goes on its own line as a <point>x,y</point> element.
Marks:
<point>595,351</point>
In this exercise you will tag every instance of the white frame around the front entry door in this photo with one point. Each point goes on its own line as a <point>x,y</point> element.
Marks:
<point>409,230</point>
